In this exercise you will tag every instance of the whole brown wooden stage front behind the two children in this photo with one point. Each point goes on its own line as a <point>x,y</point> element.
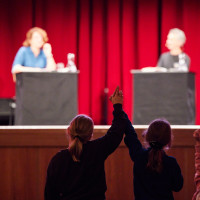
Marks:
<point>25,152</point>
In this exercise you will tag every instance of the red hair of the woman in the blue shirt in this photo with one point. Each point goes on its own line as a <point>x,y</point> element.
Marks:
<point>30,32</point>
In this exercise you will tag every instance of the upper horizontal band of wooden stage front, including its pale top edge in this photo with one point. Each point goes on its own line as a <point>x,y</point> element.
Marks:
<point>55,135</point>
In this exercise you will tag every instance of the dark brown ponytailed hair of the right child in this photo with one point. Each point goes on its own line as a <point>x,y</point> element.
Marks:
<point>158,136</point>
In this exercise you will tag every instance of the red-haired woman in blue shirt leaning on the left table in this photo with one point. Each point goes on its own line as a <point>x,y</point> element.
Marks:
<point>35,55</point>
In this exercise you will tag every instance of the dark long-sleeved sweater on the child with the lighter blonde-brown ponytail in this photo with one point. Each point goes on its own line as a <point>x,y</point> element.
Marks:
<point>85,180</point>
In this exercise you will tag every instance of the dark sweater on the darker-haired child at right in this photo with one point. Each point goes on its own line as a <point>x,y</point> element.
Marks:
<point>150,185</point>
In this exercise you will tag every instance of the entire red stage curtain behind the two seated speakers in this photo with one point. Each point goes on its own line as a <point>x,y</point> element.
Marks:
<point>109,38</point>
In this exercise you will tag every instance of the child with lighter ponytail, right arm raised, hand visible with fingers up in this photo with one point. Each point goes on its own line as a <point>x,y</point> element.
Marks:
<point>77,173</point>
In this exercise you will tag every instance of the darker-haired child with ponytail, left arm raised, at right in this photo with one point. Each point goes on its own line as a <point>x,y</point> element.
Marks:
<point>156,175</point>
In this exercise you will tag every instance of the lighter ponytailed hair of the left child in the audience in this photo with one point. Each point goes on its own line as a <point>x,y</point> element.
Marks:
<point>80,131</point>
